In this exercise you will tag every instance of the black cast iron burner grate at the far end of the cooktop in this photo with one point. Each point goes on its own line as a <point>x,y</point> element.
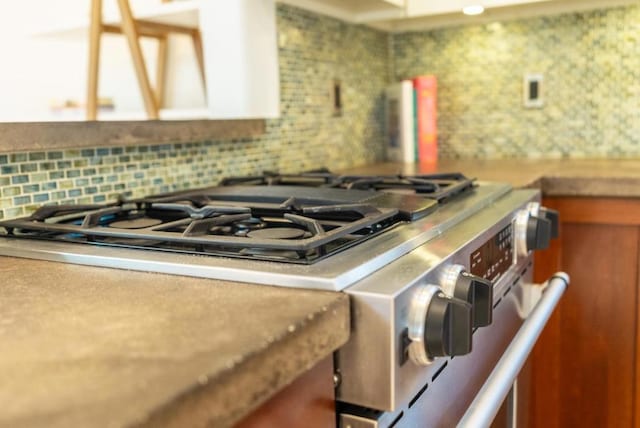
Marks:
<point>440,187</point>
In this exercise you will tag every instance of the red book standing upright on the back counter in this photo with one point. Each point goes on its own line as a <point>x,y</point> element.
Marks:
<point>427,141</point>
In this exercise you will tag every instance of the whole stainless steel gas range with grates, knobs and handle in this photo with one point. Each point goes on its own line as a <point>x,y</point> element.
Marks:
<point>438,269</point>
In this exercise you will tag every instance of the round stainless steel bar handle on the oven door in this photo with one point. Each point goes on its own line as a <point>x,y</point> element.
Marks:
<point>485,406</point>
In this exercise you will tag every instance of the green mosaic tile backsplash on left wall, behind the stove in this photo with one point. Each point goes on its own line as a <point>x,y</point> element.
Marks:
<point>313,52</point>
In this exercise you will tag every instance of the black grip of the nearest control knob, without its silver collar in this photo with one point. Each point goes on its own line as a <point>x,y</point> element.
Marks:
<point>448,327</point>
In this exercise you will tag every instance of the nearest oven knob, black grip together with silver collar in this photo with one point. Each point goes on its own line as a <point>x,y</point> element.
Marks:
<point>439,326</point>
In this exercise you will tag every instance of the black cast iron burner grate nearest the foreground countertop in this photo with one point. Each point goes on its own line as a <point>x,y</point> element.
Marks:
<point>290,231</point>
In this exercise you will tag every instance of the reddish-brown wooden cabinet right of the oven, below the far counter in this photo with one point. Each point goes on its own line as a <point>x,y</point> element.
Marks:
<point>585,365</point>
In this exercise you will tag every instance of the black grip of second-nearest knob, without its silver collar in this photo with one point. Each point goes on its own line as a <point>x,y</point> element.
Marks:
<point>479,293</point>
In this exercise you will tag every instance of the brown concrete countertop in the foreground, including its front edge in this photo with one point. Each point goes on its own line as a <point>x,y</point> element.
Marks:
<point>95,347</point>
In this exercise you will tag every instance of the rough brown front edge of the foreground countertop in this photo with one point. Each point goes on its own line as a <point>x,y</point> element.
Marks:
<point>234,394</point>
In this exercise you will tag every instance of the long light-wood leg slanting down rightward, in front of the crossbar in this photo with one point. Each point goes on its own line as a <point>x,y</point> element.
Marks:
<point>131,32</point>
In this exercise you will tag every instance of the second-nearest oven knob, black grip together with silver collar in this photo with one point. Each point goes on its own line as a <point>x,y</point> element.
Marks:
<point>477,291</point>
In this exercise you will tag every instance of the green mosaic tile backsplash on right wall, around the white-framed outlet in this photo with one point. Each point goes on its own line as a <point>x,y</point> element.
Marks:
<point>591,67</point>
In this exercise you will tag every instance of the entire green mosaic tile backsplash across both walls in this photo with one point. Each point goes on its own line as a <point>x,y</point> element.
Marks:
<point>591,67</point>
